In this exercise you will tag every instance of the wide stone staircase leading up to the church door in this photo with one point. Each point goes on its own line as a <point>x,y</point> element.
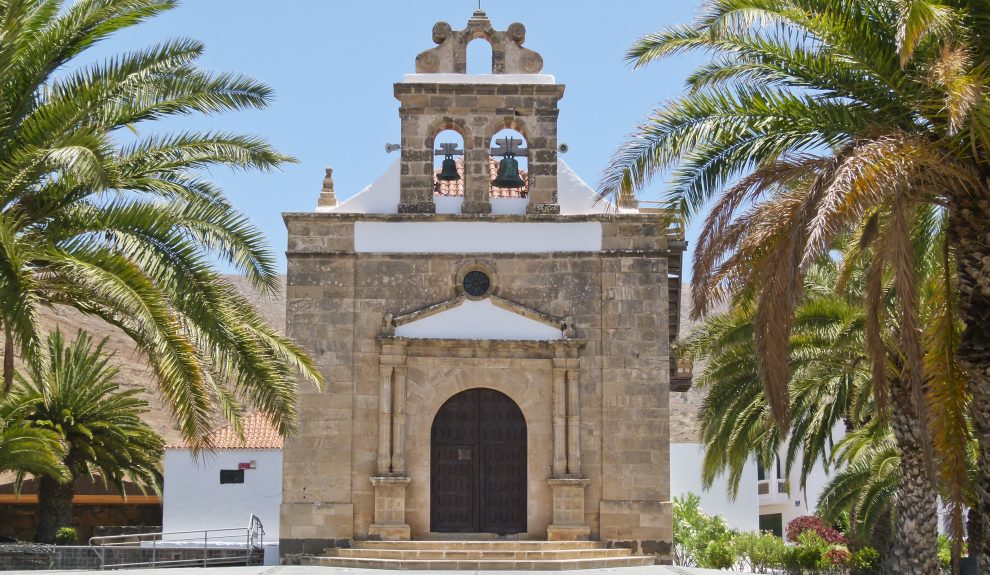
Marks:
<point>479,555</point>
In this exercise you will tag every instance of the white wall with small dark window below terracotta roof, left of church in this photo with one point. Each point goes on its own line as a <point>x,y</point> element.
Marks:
<point>194,499</point>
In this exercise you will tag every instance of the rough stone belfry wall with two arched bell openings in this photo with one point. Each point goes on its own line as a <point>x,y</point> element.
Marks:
<point>477,112</point>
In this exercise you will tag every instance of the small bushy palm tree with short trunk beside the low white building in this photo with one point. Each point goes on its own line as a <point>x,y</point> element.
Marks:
<point>75,396</point>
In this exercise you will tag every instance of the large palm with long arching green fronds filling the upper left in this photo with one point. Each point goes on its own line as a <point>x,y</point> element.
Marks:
<point>120,224</point>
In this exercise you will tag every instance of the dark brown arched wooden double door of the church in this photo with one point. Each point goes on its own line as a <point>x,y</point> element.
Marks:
<point>478,465</point>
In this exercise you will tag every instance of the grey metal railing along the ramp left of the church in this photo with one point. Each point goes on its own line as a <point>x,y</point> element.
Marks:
<point>181,548</point>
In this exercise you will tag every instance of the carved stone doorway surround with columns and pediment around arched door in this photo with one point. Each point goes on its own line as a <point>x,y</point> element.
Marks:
<point>419,375</point>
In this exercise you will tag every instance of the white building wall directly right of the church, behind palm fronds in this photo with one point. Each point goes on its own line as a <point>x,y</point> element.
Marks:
<point>685,476</point>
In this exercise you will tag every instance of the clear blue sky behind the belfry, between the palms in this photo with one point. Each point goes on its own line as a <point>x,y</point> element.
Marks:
<point>332,65</point>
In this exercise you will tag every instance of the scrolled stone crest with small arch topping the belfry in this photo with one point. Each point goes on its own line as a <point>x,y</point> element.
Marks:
<point>450,55</point>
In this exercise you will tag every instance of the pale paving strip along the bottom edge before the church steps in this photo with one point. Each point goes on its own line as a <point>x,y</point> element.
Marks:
<point>314,570</point>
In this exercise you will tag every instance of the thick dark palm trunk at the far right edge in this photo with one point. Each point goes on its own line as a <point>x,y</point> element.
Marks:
<point>969,235</point>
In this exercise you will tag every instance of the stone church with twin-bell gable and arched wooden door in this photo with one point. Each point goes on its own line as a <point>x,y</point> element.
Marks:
<point>497,359</point>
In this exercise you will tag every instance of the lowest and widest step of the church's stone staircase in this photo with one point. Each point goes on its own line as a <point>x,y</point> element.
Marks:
<point>480,564</point>
